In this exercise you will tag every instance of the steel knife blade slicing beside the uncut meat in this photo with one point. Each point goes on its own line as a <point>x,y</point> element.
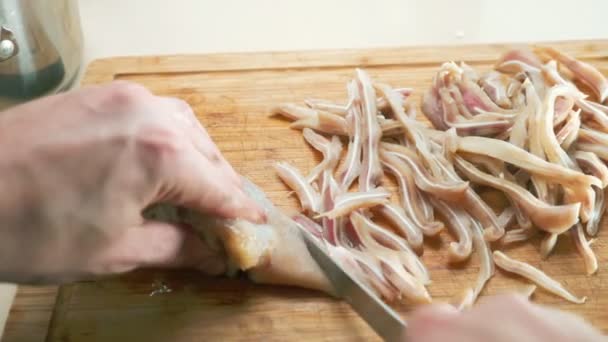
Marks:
<point>380,317</point>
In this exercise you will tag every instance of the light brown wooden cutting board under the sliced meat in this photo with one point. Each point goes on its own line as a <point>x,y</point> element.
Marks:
<point>231,94</point>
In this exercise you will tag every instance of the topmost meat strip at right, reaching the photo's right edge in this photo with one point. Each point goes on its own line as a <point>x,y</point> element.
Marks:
<point>584,72</point>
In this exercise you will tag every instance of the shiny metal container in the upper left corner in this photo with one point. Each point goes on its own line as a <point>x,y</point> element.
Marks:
<point>40,48</point>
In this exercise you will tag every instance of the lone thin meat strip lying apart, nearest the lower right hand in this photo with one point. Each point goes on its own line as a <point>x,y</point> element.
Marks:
<point>535,275</point>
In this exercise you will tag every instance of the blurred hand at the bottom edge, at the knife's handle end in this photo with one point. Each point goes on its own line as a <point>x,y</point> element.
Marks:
<point>505,318</point>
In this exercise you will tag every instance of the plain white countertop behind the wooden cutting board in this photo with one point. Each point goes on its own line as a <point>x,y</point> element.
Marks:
<point>146,27</point>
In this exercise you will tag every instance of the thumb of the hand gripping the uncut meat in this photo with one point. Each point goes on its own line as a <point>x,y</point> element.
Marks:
<point>158,244</point>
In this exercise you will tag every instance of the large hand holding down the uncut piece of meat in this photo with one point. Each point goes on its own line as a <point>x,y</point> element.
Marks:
<point>77,169</point>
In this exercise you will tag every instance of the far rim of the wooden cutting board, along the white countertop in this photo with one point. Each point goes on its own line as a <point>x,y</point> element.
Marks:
<point>105,69</point>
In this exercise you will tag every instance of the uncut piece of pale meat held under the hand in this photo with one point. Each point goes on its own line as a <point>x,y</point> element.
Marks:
<point>271,253</point>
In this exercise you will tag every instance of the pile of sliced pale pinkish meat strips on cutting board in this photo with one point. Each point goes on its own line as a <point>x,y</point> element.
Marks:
<point>534,129</point>
